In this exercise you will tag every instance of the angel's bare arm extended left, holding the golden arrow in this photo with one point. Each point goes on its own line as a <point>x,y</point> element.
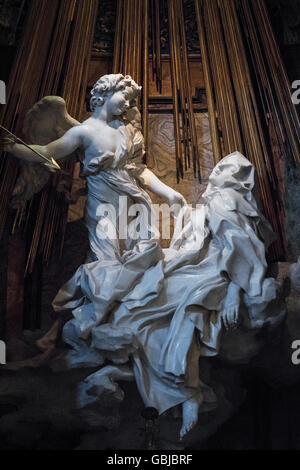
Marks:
<point>58,149</point>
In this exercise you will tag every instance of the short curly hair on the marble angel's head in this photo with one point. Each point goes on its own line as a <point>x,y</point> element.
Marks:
<point>109,84</point>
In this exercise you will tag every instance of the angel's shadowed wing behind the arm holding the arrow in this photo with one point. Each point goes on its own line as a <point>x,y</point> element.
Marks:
<point>46,121</point>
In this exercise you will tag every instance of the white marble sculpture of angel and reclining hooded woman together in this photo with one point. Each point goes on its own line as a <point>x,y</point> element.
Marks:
<point>152,312</point>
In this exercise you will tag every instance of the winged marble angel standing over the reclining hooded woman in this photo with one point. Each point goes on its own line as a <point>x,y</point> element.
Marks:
<point>112,165</point>
